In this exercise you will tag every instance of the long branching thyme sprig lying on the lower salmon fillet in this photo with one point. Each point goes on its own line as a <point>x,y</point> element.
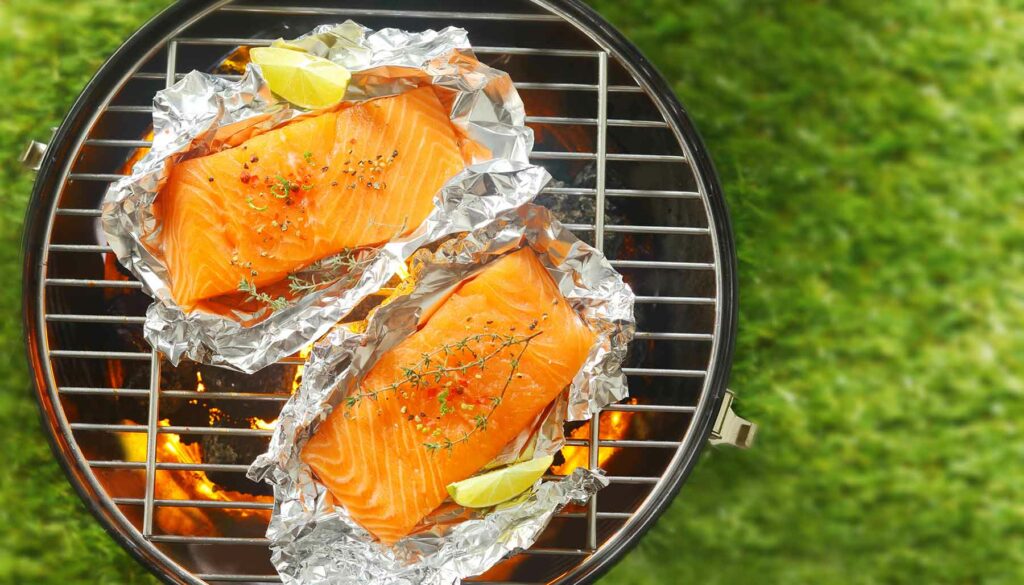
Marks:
<point>434,368</point>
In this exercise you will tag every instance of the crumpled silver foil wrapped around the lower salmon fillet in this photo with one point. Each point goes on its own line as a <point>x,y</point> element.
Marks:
<point>316,542</point>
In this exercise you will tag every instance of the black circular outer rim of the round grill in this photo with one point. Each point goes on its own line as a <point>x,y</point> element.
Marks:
<point>45,199</point>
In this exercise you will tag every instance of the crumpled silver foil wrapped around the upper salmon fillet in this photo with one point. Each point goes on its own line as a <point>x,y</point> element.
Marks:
<point>202,113</point>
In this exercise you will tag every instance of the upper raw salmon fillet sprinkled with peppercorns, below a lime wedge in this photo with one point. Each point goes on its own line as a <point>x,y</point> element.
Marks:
<point>282,200</point>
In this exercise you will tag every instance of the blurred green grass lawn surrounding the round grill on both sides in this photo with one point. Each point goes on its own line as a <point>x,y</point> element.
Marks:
<point>872,155</point>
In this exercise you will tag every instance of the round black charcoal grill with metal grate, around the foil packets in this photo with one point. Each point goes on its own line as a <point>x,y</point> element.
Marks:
<point>631,177</point>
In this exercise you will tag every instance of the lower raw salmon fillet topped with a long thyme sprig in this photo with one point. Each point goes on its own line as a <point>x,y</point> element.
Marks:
<point>371,454</point>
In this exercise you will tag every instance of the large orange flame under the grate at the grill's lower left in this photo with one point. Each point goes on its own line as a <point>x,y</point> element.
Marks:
<point>184,485</point>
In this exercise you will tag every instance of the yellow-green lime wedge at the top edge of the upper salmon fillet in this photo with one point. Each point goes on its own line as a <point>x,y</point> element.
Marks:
<point>306,80</point>
